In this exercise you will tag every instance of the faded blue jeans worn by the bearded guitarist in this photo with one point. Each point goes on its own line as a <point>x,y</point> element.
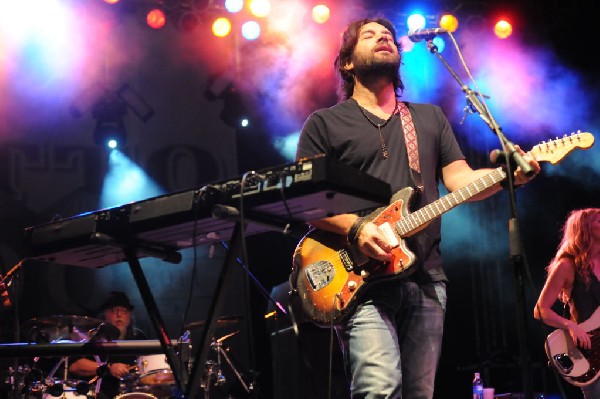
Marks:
<point>392,343</point>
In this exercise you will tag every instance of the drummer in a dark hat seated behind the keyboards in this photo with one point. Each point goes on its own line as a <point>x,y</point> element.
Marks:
<point>110,370</point>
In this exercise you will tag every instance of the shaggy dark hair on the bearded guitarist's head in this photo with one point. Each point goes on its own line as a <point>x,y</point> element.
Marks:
<point>349,40</point>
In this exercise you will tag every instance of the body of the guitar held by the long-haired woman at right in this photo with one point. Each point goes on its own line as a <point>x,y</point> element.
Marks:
<point>577,366</point>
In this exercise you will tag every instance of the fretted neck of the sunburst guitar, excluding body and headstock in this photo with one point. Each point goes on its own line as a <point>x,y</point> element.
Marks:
<point>429,212</point>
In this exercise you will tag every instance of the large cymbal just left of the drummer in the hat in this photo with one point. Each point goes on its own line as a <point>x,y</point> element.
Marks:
<point>62,326</point>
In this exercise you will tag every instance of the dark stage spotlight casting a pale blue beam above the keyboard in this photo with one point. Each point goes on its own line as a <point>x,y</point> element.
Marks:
<point>110,128</point>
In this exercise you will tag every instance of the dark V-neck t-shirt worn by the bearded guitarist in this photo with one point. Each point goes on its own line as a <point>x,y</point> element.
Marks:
<point>344,133</point>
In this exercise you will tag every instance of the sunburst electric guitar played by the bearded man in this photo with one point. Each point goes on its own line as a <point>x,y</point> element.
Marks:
<point>329,275</point>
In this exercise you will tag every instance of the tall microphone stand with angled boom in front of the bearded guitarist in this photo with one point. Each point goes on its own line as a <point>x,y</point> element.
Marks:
<point>512,158</point>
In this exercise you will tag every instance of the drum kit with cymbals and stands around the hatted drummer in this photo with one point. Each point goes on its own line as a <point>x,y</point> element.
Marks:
<point>151,377</point>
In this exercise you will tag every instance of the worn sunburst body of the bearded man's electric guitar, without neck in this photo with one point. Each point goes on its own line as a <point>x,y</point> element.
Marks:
<point>329,274</point>
